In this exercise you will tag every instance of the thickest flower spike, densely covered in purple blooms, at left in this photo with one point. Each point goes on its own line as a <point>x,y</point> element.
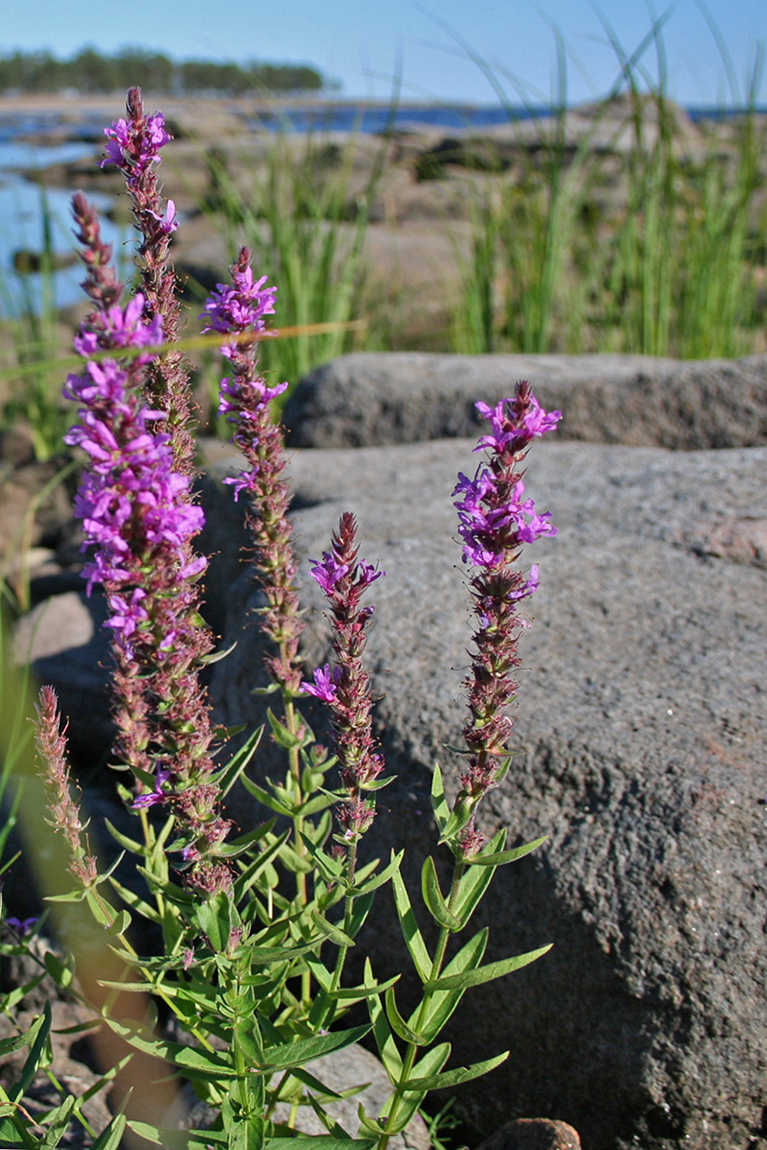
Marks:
<point>137,513</point>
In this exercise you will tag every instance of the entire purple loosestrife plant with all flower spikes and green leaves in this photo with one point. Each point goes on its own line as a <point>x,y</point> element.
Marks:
<point>244,971</point>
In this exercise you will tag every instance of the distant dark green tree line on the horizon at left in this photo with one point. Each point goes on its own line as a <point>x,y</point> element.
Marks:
<point>90,72</point>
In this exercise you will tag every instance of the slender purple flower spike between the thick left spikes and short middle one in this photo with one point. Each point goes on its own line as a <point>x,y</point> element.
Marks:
<point>239,310</point>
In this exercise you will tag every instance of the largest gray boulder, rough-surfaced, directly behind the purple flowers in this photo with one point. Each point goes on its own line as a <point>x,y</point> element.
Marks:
<point>641,754</point>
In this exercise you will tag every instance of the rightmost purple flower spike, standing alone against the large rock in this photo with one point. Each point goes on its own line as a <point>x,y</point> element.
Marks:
<point>495,522</point>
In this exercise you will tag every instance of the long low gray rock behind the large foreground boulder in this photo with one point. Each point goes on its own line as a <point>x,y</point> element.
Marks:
<point>372,398</point>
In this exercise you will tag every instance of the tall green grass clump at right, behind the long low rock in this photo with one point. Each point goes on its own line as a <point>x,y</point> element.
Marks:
<point>649,244</point>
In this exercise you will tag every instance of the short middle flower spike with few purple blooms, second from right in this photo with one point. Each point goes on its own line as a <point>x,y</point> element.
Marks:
<point>347,687</point>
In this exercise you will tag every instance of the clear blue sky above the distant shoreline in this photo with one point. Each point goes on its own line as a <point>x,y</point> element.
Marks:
<point>362,42</point>
